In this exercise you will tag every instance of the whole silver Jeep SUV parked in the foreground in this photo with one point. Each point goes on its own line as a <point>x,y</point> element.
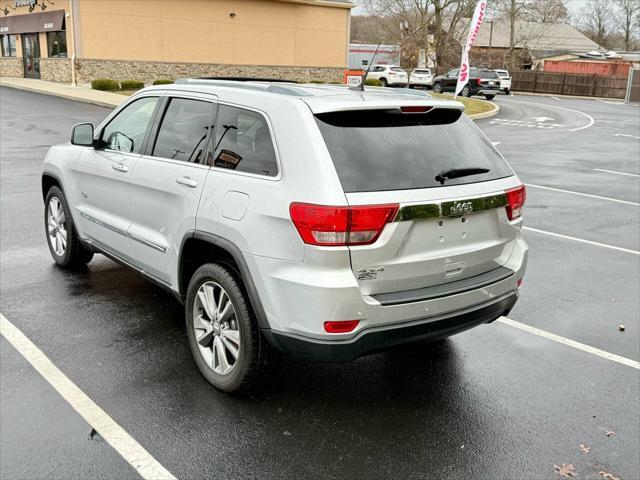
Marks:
<point>314,220</point>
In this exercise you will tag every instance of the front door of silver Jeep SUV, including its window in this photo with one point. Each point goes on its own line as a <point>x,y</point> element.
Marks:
<point>102,177</point>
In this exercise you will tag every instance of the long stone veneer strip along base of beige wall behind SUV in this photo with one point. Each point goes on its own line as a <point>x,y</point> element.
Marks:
<point>88,70</point>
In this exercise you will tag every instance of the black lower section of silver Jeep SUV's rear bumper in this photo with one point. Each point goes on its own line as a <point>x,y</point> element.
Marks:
<point>381,338</point>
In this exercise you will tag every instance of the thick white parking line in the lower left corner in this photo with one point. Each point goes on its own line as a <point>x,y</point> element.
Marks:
<point>147,466</point>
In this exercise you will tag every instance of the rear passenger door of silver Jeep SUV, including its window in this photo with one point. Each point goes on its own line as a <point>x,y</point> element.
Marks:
<point>166,185</point>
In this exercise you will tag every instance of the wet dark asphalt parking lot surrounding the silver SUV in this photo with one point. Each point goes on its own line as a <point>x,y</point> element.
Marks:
<point>501,401</point>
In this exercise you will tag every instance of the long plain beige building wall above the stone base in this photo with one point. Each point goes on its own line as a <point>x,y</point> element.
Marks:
<point>245,32</point>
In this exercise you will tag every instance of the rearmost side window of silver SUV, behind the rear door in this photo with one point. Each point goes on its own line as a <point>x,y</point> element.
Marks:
<point>243,142</point>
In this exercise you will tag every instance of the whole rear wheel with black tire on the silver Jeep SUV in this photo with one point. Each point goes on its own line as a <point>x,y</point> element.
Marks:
<point>212,348</point>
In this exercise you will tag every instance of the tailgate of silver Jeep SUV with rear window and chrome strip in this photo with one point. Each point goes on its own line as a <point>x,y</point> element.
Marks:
<point>443,232</point>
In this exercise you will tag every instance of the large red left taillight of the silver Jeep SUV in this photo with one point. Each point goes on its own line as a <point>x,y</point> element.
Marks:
<point>339,226</point>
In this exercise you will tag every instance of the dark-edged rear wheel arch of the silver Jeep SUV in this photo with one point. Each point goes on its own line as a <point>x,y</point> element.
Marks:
<point>198,248</point>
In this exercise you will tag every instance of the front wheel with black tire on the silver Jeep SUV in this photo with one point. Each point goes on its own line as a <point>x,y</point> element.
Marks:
<point>62,238</point>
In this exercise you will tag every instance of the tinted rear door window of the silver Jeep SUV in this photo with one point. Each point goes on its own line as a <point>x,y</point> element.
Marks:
<point>184,129</point>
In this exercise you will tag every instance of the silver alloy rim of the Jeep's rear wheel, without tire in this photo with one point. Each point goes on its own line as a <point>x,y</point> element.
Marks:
<point>216,328</point>
